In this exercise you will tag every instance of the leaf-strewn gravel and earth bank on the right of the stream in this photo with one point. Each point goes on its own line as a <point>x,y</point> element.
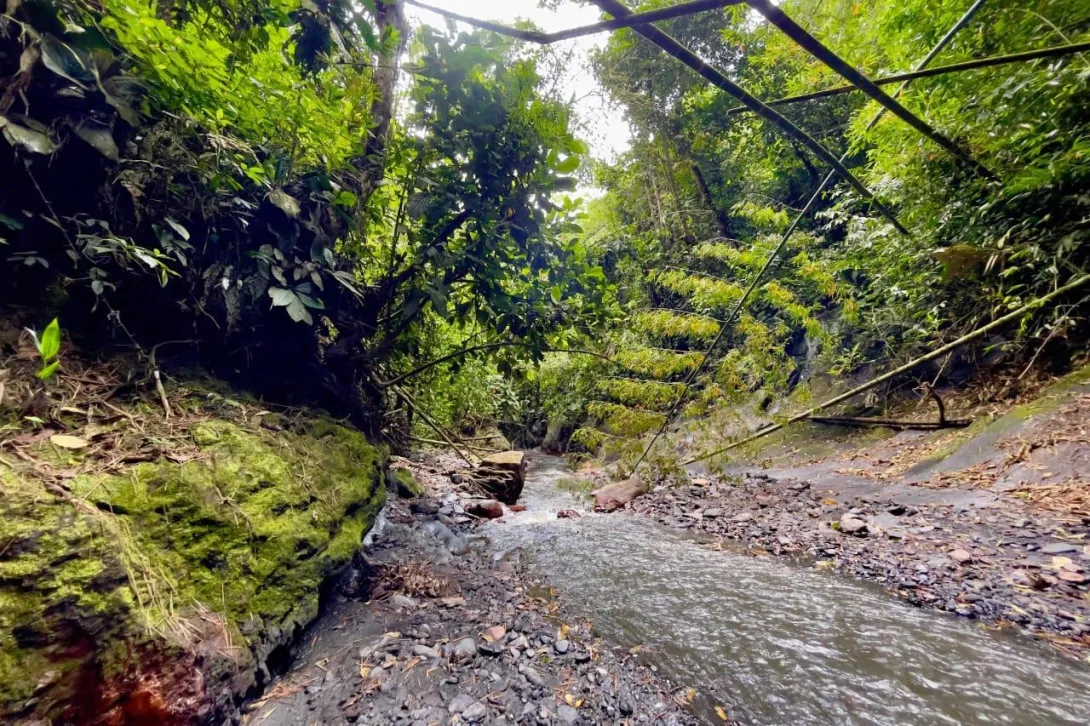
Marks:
<point>995,527</point>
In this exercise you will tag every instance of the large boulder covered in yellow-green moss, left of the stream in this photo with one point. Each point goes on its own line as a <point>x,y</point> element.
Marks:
<point>162,592</point>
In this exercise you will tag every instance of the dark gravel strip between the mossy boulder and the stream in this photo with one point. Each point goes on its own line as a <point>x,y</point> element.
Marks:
<point>446,633</point>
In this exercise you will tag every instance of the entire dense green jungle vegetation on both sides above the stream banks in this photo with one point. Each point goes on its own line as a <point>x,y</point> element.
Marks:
<point>317,201</point>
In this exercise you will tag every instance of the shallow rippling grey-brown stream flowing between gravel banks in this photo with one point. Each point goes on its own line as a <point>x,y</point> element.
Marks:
<point>777,642</point>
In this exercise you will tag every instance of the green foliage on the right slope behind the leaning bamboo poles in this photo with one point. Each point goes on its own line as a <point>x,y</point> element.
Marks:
<point>692,213</point>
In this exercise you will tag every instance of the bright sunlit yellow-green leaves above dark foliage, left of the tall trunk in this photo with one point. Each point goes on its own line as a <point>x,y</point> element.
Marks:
<point>249,89</point>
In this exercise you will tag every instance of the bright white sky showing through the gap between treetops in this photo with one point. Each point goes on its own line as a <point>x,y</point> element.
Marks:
<point>602,126</point>
